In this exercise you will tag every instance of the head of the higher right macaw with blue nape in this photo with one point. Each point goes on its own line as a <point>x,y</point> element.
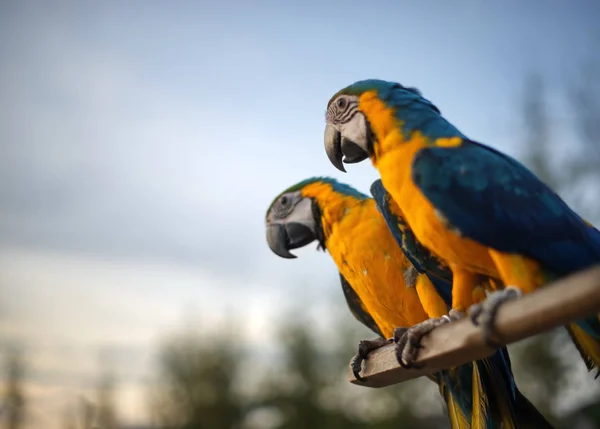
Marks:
<point>364,113</point>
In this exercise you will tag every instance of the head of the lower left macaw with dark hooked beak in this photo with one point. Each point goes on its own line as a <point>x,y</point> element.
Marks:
<point>295,217</point>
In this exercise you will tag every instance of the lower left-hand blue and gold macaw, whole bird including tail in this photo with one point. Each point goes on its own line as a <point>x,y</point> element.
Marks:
<point>385,291</point>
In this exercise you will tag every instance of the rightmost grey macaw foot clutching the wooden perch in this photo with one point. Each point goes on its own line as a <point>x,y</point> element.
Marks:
<point>484,313</point>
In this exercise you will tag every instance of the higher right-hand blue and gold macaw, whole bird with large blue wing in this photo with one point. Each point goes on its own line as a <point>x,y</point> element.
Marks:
<point>475,208</point>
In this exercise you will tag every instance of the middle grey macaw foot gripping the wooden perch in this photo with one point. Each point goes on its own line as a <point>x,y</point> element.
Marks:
<point>408,341</point>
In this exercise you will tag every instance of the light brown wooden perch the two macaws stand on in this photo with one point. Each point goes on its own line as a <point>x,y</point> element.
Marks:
<point>459,342</point>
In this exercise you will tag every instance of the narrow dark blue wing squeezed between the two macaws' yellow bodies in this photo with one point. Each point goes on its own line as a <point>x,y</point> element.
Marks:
<point>418,255</point>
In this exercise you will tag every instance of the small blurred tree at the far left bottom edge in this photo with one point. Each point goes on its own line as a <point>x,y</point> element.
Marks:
<point>13,409</point>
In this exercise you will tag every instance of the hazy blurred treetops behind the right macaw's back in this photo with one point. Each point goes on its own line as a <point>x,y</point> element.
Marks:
<point>562,139</point>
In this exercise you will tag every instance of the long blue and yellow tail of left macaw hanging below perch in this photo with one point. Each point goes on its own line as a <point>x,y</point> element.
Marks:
<point>485,390</point>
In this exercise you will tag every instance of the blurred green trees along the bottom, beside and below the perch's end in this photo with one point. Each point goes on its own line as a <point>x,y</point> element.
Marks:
<point>303,385</point>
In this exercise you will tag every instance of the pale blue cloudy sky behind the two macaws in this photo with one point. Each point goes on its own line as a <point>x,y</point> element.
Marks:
<point>143,141</point>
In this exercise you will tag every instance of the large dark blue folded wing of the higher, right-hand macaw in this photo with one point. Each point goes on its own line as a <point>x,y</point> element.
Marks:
<point>496,201</point>
